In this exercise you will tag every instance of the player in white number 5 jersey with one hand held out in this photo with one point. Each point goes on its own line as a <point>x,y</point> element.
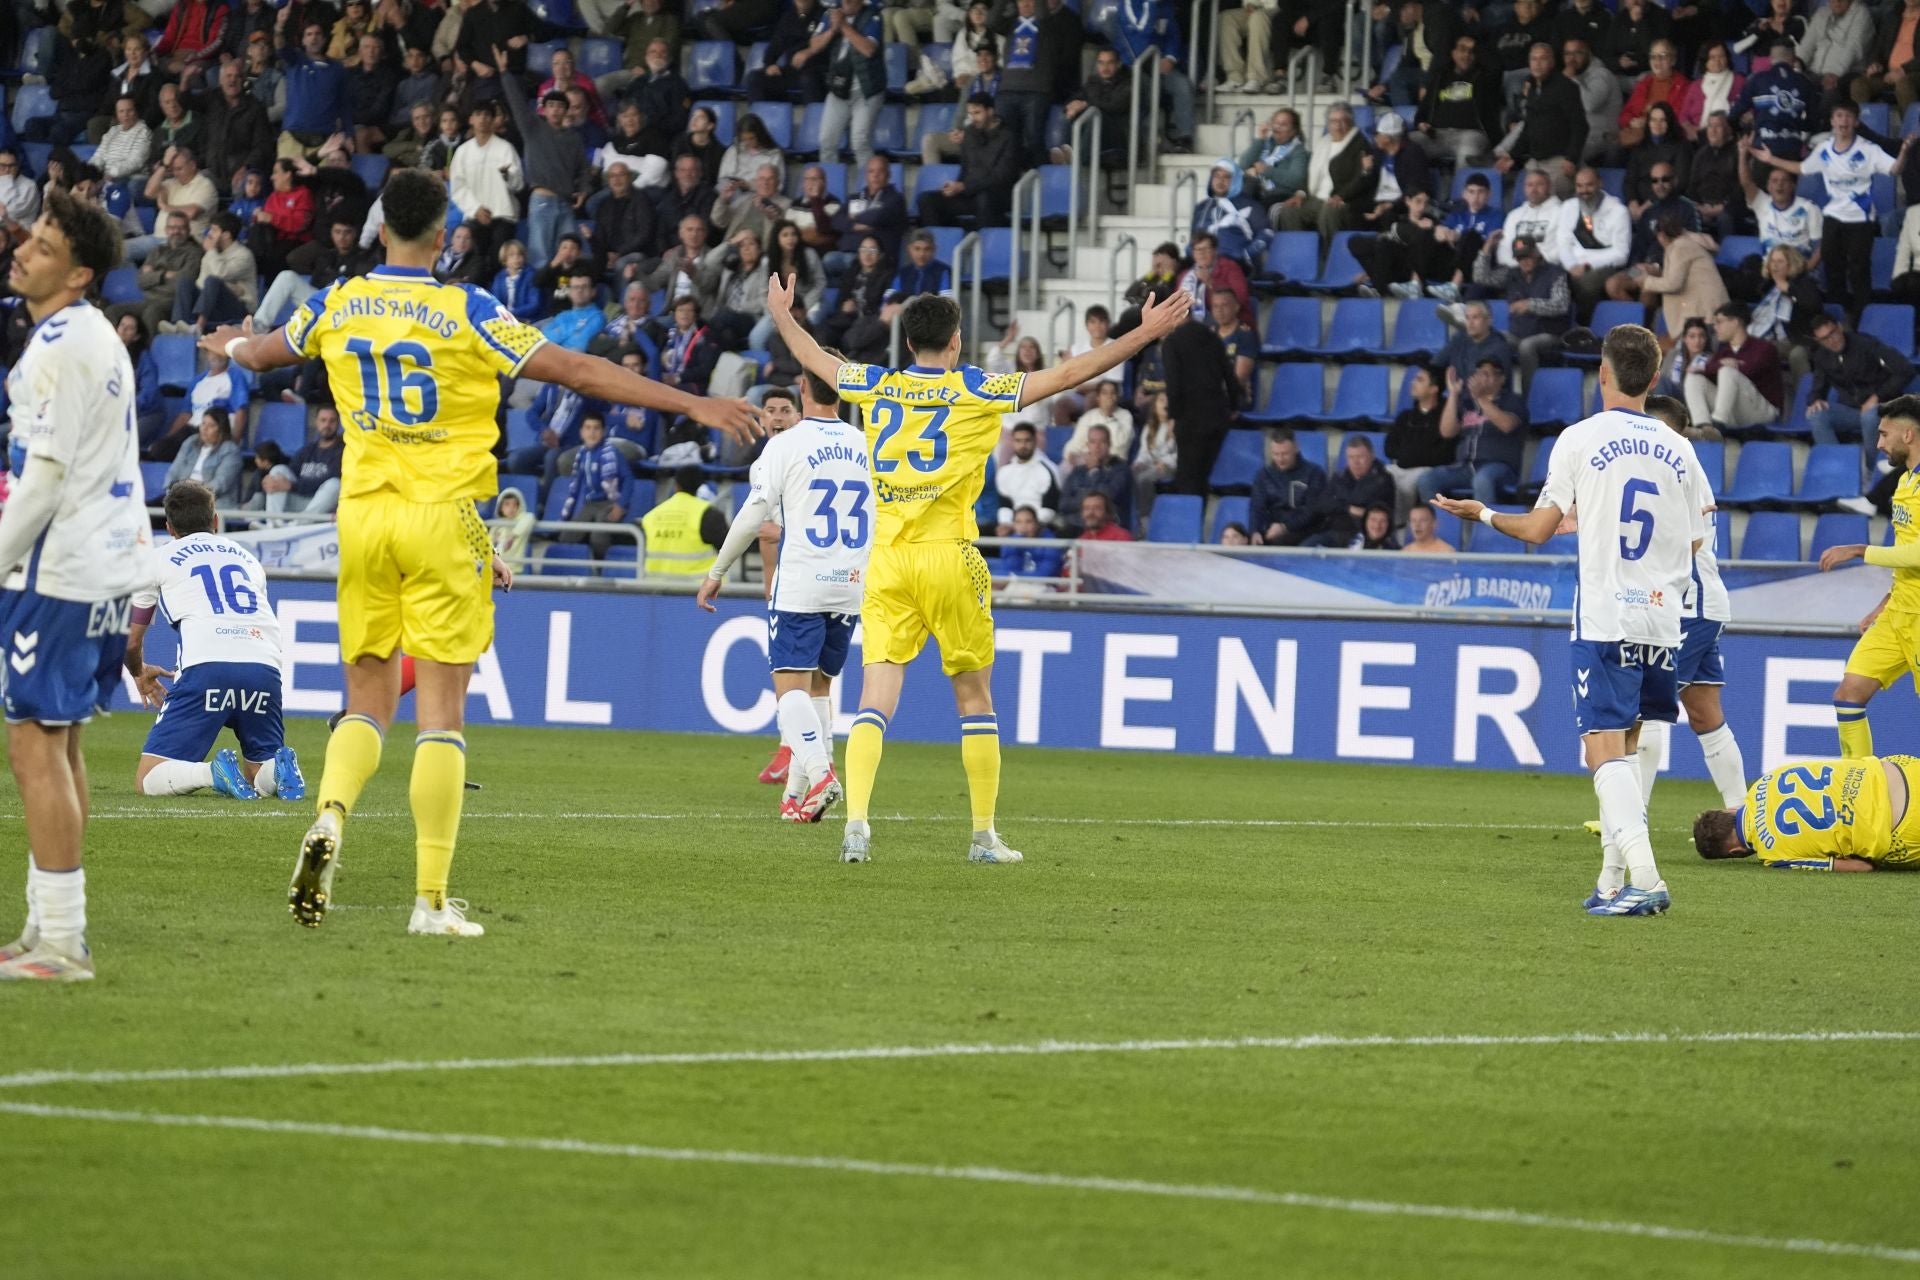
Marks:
<point>1637,486</point>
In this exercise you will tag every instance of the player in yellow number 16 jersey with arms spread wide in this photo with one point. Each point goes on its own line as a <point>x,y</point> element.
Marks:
<point>416,369</point>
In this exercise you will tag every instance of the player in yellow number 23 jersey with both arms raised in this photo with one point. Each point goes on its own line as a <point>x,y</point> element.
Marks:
<point>930,429</point>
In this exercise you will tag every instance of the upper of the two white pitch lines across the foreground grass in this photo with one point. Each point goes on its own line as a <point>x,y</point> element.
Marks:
<point>903,1053</point>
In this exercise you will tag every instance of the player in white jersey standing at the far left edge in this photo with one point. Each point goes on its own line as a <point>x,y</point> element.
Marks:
<point>74,550</point>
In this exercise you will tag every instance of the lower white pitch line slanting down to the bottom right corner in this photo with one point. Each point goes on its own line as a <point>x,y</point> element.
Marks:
<point>982,1173</point>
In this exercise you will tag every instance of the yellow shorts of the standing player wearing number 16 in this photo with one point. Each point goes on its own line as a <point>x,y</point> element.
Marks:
<point>414,577</point>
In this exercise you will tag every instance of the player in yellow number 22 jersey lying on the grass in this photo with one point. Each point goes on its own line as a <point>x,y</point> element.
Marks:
<point>1850,815</point>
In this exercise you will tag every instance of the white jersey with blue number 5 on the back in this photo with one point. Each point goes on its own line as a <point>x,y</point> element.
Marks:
<point>1637,488</point>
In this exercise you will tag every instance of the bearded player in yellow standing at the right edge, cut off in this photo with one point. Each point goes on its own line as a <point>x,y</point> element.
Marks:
<point>1890,636</point>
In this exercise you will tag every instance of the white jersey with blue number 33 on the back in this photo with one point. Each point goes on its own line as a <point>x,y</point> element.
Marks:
<point>815,485</point>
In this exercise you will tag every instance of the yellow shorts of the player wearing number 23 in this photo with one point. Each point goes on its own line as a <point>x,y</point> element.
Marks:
<point>919,590</point>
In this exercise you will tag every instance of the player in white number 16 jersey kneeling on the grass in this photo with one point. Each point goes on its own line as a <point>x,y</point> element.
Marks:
<point>228,676</point>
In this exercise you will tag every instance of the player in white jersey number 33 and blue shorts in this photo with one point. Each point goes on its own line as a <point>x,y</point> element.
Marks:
<point>815,485</point>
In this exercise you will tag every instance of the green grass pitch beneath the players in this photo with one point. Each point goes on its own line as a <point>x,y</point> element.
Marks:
<point>642,901</point>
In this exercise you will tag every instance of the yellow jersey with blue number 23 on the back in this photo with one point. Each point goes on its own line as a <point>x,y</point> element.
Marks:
<point>928,439</point>
